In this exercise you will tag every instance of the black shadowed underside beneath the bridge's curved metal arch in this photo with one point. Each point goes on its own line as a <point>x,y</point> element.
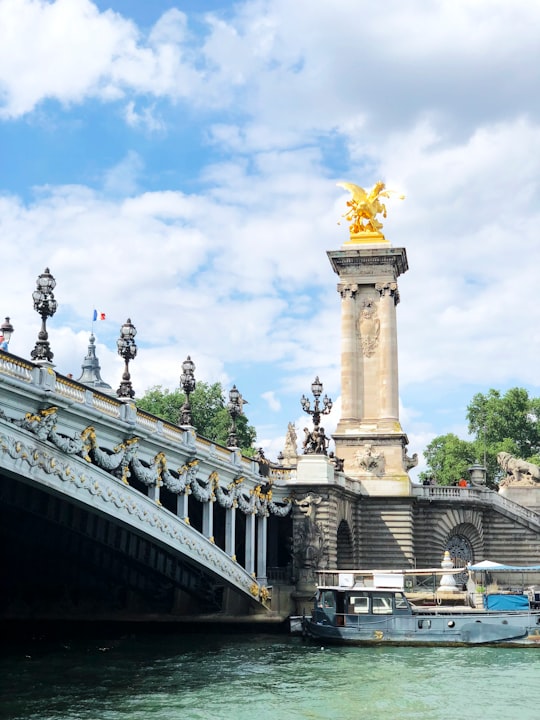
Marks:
<point>60,560</point>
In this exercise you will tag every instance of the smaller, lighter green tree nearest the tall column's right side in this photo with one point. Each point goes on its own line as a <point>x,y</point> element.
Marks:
<point>448,459</point>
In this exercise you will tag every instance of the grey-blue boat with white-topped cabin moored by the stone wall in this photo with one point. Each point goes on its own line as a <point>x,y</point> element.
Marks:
<point>353,609</point>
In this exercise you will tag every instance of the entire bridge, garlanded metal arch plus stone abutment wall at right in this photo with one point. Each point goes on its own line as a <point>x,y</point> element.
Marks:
<point>108,512</point>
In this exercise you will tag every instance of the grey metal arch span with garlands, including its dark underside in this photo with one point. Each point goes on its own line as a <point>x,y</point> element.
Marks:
<point>110,512</point>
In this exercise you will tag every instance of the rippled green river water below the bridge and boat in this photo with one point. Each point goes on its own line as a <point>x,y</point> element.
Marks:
<point>149,676</point>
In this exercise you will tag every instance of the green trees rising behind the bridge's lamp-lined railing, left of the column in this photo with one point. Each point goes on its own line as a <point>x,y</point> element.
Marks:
<point>210,416</point>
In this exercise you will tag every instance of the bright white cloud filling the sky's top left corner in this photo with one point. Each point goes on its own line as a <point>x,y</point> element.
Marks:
<point>69,51</point>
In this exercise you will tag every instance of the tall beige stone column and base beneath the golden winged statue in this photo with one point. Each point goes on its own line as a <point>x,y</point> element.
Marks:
<point>369,436</point>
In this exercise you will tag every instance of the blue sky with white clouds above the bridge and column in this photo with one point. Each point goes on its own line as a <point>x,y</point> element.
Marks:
<point>176,163</point>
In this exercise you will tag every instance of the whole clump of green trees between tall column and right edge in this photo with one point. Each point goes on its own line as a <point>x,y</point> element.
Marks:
<point>497,423</point>
